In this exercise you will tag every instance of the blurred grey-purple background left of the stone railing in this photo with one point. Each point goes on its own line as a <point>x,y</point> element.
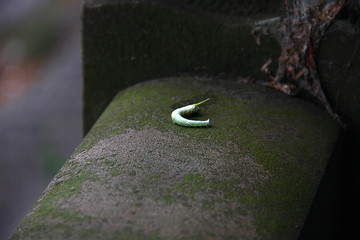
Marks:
<point>40,99</point>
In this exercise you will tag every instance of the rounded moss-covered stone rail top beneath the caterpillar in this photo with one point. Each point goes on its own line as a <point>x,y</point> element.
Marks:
<point>252,175</point>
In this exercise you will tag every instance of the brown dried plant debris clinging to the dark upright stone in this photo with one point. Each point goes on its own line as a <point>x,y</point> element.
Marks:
<point>303,29</point>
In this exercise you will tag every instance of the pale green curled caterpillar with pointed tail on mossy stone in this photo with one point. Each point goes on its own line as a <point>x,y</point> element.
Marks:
<point>177,116</point>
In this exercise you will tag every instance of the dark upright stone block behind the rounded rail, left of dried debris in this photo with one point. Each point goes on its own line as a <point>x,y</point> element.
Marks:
<point>126,42</point>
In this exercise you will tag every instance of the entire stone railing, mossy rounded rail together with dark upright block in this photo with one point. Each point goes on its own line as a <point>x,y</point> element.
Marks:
<point>253,174</point>
